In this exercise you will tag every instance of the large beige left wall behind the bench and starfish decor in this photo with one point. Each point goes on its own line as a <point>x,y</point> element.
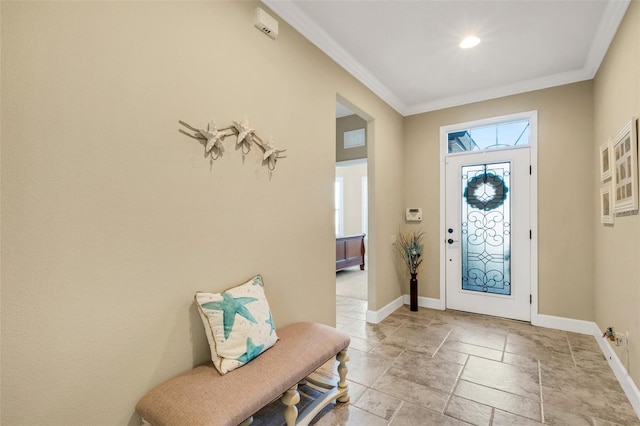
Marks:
<point>112,219</point>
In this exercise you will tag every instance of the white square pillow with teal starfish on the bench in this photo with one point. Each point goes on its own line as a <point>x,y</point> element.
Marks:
<point>238,324</point>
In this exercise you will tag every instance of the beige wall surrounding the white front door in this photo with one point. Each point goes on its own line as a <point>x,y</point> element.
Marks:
<point>565,198</point>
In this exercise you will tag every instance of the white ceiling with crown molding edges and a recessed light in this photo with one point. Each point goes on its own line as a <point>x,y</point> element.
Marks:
<point>407,51</point>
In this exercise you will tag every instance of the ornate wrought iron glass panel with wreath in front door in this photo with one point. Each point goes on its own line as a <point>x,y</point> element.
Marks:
<point>486,228</point>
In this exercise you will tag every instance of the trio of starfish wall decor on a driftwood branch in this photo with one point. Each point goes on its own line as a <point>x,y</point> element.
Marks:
<point>212,139</point>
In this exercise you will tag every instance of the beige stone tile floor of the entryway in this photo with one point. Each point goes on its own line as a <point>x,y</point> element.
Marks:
<point>452,368</point>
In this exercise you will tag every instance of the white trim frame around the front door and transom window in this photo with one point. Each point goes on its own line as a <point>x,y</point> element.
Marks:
<point>533,144</point>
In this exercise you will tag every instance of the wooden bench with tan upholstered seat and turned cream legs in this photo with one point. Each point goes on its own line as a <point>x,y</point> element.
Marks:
<point>202,396</point>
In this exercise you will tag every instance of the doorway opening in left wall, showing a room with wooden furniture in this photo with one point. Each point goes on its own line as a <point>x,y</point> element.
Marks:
<point>351,216</point>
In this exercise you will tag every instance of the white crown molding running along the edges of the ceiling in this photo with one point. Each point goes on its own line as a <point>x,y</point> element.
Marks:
<point>300,21</point>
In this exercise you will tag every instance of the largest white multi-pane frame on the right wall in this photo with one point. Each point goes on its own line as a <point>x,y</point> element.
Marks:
<point>624,149</point>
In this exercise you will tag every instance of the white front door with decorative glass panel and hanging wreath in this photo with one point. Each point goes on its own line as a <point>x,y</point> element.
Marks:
<point>488,233</point>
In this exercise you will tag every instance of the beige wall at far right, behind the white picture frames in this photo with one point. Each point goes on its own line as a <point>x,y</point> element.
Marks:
<point>617,247</point>
